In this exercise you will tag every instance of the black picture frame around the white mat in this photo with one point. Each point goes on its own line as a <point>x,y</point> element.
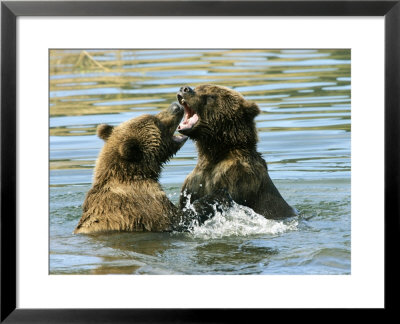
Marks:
<point>10,10</point>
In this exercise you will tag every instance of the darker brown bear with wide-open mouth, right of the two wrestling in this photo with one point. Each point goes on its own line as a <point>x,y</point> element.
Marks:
<point>221,122</point>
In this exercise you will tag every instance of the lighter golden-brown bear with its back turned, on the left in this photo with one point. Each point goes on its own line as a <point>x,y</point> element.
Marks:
<point>126,194</point>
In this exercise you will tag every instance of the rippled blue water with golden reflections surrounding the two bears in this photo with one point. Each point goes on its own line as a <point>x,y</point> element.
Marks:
<point>304,135</point>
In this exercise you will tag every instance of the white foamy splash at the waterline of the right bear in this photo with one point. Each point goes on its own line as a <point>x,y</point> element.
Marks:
<point>239,220</point>
